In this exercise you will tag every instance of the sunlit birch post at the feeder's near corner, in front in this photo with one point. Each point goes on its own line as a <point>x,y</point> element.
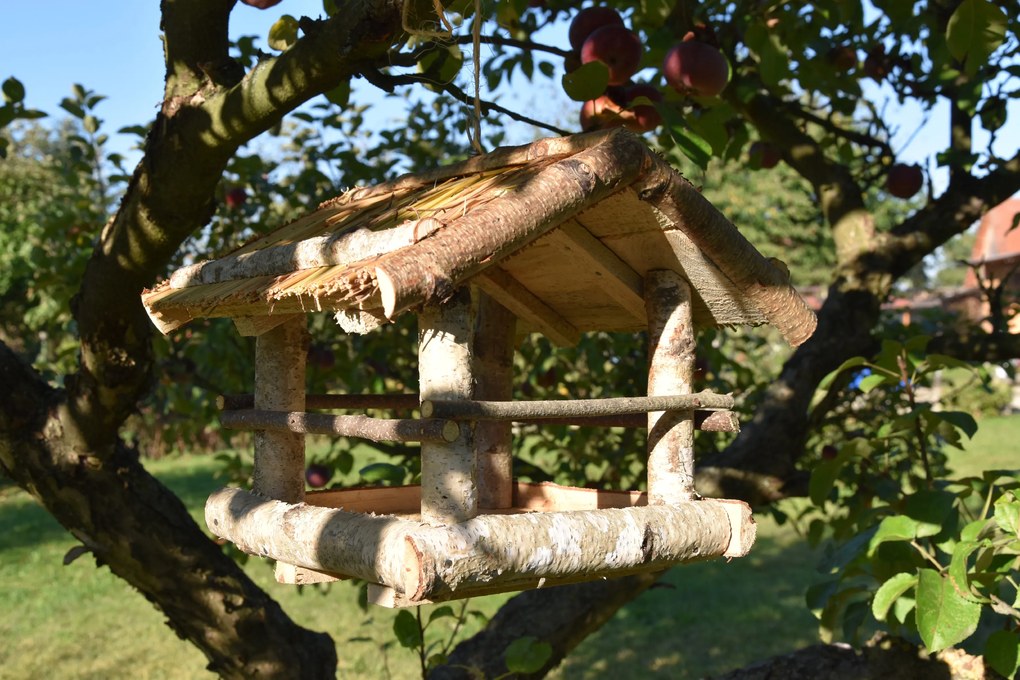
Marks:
<point>446,355</point>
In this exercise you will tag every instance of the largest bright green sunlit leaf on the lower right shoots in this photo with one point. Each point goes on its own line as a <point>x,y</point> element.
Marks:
<point>944,617</point>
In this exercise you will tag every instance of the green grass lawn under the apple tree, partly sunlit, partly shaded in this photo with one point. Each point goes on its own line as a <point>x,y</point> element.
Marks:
<point>78,621</point>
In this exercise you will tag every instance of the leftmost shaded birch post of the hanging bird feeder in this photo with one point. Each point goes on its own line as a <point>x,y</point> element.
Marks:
<point>280,386</point>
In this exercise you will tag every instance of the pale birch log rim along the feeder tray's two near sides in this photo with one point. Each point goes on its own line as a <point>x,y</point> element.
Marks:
<point>487,554</point>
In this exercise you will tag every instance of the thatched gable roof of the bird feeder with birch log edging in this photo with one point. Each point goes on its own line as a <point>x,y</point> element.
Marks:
<point>560,232</point>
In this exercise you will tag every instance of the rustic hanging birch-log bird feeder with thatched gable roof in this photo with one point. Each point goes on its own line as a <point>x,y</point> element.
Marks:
<point>560,237</point>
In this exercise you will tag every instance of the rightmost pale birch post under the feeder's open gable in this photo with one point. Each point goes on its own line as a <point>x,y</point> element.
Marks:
<point>672,363</point>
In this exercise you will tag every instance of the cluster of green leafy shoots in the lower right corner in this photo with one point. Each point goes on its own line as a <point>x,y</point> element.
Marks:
<point>911,548</point>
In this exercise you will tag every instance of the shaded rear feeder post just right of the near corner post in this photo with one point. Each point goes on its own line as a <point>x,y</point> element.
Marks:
<point>494,329</point>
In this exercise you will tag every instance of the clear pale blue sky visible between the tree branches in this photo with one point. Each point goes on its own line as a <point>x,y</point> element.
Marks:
<point>114,48</point>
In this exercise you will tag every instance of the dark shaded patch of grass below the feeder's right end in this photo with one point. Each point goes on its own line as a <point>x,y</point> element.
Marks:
<point>708,618</point>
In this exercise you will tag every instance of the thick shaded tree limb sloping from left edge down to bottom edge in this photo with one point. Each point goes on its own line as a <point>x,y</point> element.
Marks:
<point>143,533</point>
